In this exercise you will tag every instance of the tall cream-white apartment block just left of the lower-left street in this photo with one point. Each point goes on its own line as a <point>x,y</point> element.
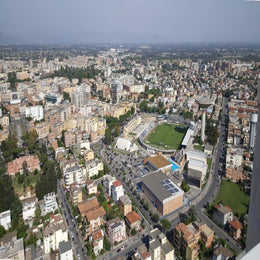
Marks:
<point>54,233</point>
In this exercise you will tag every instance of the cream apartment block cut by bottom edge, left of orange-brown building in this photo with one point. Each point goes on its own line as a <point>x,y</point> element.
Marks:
<point>159,246</point>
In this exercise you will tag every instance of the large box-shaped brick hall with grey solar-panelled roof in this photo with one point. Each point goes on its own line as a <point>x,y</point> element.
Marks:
<point>165,196</point>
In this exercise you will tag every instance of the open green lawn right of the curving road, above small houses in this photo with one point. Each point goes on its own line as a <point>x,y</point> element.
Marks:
<point>232,196</point>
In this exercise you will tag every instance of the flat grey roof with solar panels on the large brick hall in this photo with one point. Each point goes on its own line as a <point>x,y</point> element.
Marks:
<point>161,186</point>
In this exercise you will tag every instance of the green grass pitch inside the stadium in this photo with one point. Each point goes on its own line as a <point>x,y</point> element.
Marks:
<point>167,136</point>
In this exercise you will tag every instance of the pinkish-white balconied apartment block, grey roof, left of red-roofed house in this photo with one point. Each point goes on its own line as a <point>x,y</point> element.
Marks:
<point>116,230</point>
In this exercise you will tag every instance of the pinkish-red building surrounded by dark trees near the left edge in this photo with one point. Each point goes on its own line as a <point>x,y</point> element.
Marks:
<point>16,166</point>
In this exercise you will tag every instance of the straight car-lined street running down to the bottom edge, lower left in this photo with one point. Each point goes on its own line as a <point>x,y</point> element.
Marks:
<point>75,235</point>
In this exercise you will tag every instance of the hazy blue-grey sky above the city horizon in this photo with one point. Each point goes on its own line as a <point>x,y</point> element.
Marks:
<point>83,21</point>
